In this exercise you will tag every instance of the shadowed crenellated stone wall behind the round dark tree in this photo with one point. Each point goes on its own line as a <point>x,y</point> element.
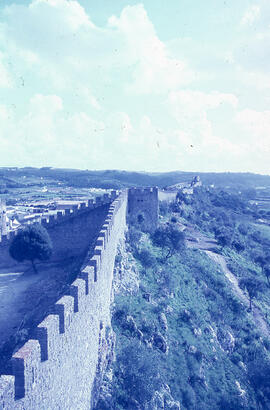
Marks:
<point>71,232</point>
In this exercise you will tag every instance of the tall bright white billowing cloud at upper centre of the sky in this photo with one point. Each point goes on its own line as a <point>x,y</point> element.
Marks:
<point>155,71</point>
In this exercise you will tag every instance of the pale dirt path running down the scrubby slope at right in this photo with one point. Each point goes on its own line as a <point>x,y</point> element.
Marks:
<point>197,240</point>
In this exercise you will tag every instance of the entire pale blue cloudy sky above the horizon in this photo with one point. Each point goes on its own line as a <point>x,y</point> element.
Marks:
<point>155,86</point>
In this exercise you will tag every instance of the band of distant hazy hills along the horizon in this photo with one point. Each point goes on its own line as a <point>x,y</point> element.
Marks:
<point>120,179</point>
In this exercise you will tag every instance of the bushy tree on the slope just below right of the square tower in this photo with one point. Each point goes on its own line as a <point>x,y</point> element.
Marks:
<point>169,238</point>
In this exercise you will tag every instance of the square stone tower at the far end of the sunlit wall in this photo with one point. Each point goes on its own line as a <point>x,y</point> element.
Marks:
<point>142,208</point>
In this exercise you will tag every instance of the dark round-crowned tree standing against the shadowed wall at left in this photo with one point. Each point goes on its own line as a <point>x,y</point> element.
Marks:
<point>31,243</point>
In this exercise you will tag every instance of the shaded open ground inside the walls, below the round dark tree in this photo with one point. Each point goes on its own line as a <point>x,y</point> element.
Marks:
<point>24,301</point>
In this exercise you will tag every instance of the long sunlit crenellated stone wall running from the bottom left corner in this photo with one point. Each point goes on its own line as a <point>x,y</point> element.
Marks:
<point>57,369</point>
